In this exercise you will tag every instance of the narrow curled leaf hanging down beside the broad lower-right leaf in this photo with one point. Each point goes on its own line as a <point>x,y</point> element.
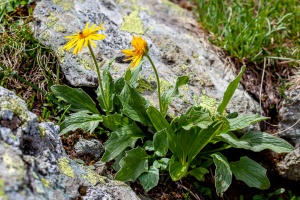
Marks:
<point>223,173</point>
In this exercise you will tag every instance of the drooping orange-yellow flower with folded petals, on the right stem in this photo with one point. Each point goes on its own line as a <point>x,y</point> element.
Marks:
<point>140,48</point>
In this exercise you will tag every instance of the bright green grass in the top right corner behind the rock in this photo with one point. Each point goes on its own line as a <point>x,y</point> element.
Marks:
<point>255,29</point>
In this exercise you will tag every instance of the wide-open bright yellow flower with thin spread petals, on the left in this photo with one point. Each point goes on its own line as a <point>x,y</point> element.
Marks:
<point>84,38</point>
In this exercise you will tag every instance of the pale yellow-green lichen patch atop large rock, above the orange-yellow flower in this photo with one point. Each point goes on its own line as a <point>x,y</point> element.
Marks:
<point>133,24</point>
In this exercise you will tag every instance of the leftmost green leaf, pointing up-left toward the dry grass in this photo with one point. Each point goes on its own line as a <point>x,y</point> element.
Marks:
<point>76,97</point>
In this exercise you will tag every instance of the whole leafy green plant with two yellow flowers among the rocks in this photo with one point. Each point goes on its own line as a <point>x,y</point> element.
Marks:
<point>185,146</point>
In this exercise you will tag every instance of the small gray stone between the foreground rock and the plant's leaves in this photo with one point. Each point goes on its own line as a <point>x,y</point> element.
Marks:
<point>92,146</point>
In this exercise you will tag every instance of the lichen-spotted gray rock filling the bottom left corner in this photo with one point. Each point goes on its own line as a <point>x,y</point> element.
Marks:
<point>34,165</point>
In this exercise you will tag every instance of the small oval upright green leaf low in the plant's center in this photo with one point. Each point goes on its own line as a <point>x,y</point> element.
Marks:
<point>160,142</point>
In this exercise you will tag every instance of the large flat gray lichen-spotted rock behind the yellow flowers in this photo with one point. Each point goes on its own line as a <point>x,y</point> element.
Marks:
<point>176,46</point>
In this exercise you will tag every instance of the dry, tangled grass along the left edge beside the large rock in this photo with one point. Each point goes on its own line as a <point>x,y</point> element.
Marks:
<point>26,66</point>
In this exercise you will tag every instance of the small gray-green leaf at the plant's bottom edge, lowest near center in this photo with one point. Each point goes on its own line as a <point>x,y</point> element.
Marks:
<point>149,179</point>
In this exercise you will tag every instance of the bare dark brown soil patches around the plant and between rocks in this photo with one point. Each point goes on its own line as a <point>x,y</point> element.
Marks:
<point>190,188</point>
